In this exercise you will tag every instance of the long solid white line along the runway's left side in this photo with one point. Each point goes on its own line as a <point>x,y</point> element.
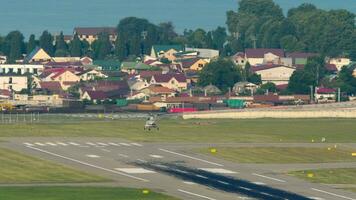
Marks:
<point>88,164</point>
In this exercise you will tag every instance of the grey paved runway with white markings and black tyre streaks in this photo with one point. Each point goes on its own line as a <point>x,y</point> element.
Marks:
<point>173,169</point>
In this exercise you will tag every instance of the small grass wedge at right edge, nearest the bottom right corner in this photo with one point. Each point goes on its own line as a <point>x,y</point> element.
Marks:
<point>328,176</point>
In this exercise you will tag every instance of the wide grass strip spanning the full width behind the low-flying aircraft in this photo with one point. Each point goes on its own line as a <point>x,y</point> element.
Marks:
<point>257,130</point>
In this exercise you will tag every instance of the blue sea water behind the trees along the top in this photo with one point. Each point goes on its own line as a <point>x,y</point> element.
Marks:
<point>34,16</point>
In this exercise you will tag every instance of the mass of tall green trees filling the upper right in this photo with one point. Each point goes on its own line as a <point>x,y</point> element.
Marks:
<point>261,24</point>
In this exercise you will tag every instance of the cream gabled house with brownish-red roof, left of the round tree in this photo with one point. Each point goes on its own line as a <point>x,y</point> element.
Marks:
<point>171,81</point>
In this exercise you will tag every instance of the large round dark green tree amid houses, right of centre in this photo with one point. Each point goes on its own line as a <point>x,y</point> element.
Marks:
<point>222,73</point>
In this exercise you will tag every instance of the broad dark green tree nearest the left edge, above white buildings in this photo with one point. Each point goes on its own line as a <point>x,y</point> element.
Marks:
<point>14,46</point>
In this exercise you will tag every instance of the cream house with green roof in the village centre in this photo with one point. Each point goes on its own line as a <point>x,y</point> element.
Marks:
<point>166,51</point>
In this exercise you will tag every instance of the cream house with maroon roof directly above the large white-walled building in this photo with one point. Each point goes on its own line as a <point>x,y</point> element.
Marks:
<point>262,56</point>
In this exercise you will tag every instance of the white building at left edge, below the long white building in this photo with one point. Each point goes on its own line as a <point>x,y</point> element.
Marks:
<point>14,82</point>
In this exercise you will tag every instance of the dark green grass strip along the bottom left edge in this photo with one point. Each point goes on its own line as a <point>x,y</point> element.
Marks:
<point>77,193</point>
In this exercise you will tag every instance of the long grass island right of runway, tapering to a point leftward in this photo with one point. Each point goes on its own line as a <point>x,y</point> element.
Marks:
<point>282,155</point>
